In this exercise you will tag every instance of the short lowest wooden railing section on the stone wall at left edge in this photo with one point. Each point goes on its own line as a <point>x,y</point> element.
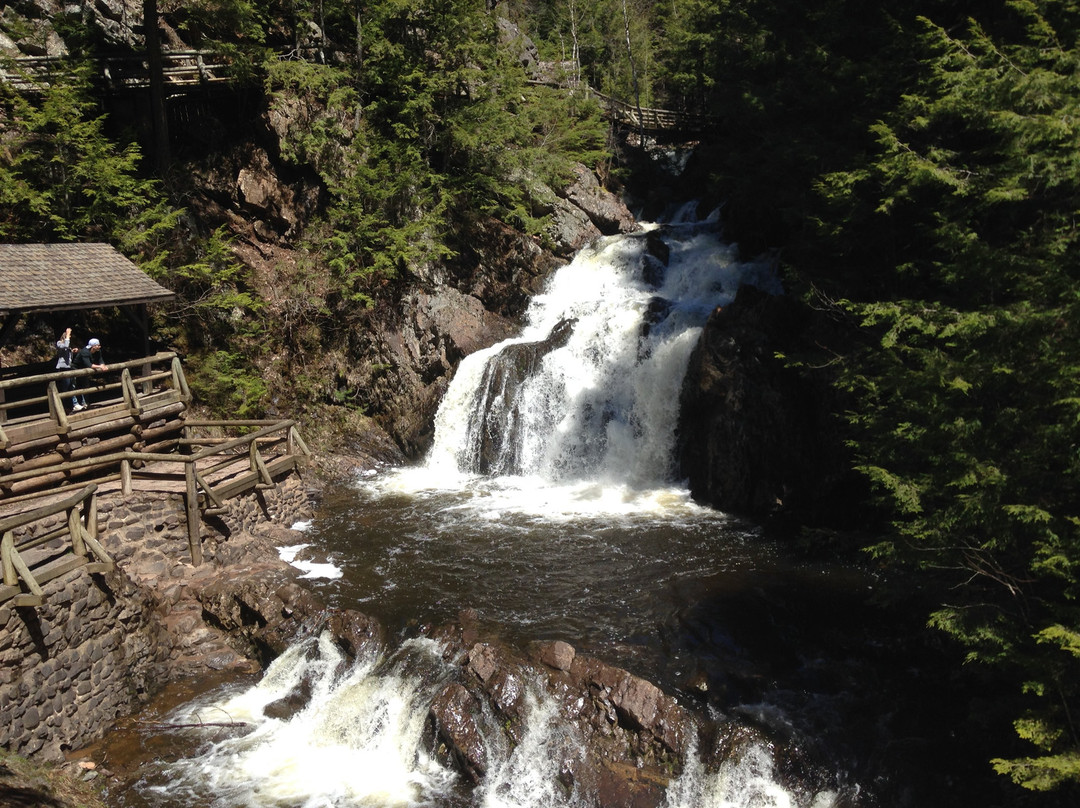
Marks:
<point>31,559</point>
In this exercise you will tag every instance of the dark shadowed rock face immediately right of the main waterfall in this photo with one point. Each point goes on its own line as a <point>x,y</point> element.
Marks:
<point>759,437</point>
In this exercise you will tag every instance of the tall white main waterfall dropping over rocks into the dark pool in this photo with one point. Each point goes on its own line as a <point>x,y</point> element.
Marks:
<point>589,390</point>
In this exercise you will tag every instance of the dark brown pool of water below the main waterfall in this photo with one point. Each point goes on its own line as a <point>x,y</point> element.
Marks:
<point>826,657</point>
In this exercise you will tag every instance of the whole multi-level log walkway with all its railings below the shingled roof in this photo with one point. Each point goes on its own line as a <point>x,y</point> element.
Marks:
<point>137,436</point>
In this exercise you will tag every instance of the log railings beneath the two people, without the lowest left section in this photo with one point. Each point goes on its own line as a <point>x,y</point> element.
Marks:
<point>136,437</point>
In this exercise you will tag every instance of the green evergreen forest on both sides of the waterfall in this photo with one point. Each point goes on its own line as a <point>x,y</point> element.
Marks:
<point>914,164</point>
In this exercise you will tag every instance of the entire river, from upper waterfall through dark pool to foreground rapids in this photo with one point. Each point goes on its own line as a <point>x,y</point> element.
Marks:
<point>549,505</point>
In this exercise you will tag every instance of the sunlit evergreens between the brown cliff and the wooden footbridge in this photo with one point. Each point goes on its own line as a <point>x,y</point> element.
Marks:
<point>435,128</point>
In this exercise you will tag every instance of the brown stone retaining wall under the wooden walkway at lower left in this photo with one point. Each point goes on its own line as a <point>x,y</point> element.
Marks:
<point>102,644</point>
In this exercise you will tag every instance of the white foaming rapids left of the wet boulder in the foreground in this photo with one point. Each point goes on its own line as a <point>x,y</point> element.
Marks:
<point>358,740</point>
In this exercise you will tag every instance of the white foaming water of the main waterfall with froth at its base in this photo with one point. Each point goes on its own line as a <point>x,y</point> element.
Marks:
<point>596,425</point>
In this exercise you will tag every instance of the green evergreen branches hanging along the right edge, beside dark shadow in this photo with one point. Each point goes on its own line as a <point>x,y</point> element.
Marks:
<point>957,244</point>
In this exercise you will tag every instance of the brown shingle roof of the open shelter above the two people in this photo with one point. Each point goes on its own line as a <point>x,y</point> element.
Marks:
<point>58,277</point>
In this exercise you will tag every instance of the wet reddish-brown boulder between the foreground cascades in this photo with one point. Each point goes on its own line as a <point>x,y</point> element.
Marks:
<point>632,738</point>
